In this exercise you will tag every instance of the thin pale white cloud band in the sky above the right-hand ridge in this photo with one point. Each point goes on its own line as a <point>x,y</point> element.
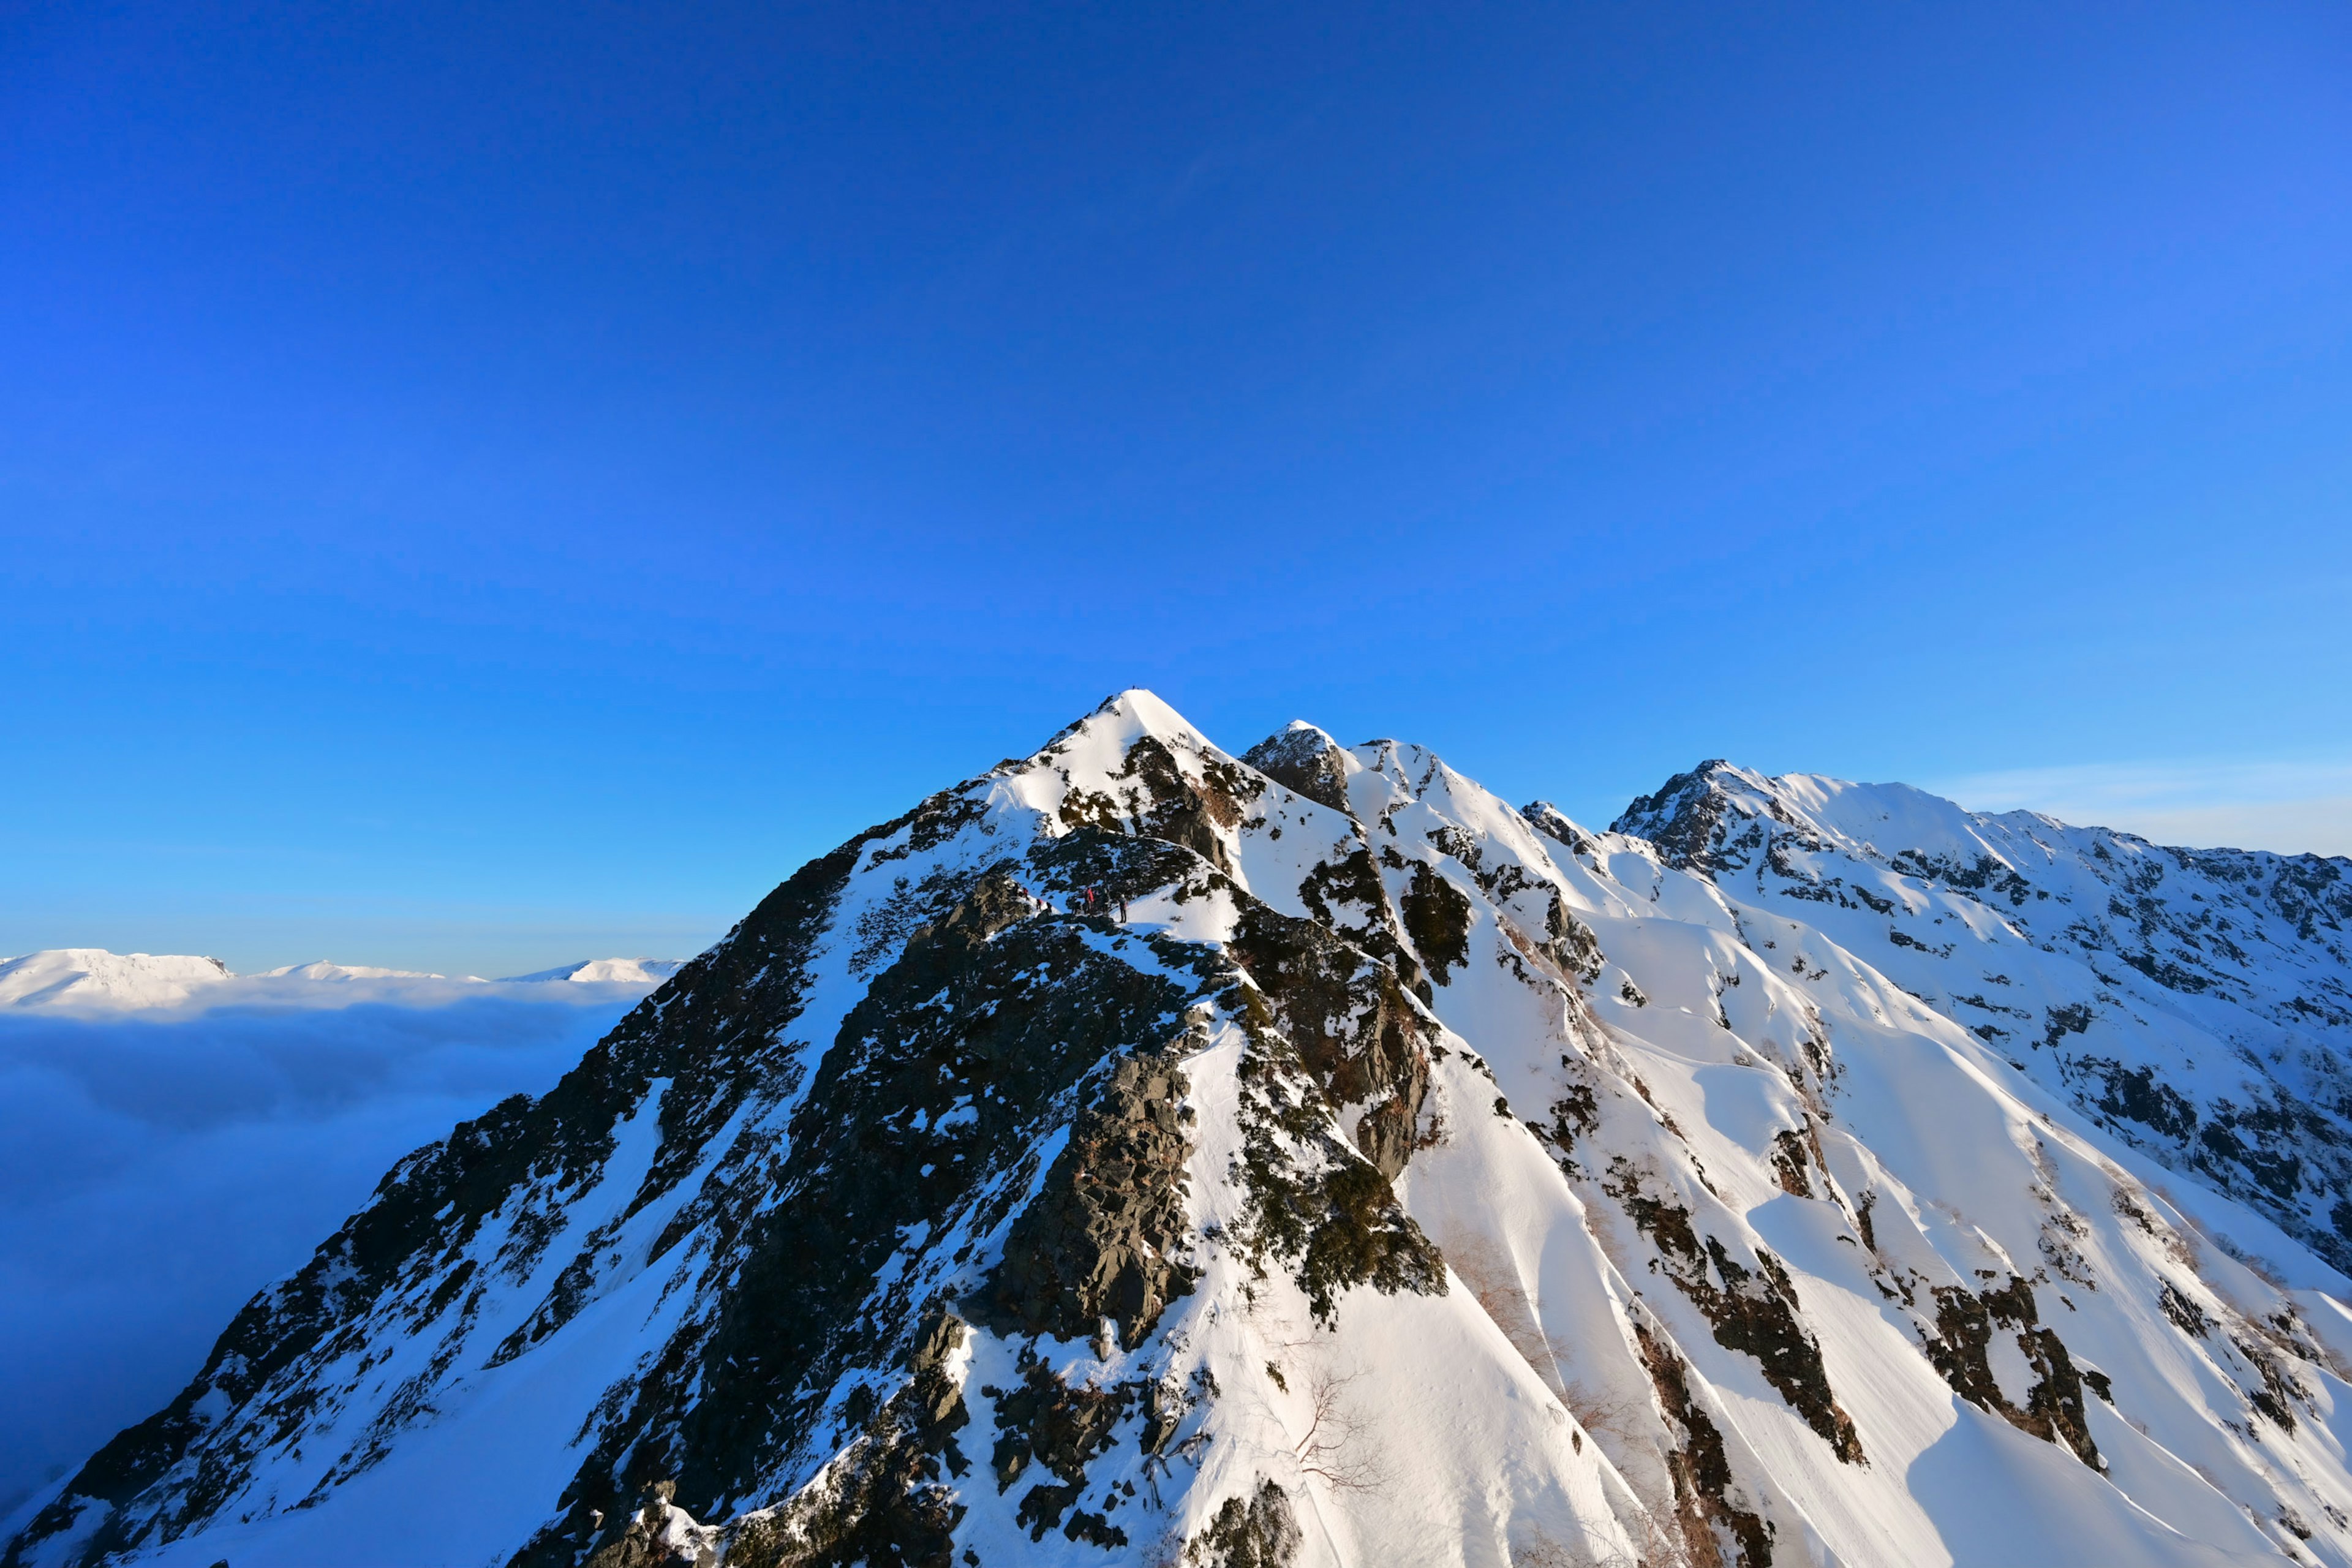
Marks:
<point>2287,808</point>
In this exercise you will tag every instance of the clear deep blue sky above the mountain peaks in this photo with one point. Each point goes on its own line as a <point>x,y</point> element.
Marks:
<point>490,485</point>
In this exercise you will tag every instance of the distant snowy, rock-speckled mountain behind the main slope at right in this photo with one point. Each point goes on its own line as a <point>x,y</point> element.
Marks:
<point>2198,1003</point>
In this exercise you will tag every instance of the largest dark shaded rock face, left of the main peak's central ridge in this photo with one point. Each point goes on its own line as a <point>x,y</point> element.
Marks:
<point>989,1014</point>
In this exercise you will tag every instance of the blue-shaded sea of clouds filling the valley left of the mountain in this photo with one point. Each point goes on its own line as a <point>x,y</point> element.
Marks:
<point>156,1170</point>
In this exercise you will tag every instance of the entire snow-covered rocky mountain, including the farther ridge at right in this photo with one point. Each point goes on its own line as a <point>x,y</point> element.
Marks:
<point>1368,1174</point>
